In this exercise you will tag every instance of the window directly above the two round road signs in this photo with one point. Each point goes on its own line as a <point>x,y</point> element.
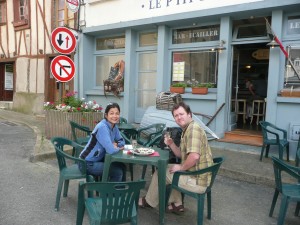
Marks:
<point>62,16</point>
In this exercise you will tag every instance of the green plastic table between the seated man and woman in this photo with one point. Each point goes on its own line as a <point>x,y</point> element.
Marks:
<point>160,162</point>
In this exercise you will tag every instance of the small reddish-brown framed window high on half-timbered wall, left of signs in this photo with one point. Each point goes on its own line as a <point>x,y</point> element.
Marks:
<point>21,14</point>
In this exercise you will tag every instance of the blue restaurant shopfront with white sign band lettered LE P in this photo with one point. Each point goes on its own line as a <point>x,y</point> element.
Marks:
<point>167,42</point>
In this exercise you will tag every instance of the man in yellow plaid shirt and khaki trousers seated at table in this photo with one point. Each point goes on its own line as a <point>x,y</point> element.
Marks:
<point>195,154</point>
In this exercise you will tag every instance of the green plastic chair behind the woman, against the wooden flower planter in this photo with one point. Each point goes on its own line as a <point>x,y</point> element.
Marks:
<point>80,130</point>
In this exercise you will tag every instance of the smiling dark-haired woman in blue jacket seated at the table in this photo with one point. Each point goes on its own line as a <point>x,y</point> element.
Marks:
<point>105,139</point>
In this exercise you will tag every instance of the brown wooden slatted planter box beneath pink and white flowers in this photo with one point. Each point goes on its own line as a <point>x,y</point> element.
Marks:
<point>57,122</point>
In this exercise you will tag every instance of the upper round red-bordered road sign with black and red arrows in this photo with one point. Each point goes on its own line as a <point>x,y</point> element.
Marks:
<point>63,40</point>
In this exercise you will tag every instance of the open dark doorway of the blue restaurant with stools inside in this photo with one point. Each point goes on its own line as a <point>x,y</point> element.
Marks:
<point>249,85</point>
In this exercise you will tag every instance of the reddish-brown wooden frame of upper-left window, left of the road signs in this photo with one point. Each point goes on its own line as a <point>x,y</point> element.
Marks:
<point>19,23</point>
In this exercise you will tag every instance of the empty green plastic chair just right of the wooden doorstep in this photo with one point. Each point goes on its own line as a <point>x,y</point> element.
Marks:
<point>273,135</point>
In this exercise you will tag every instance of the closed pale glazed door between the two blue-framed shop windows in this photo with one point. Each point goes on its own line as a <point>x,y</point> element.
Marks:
<point>146,83</point>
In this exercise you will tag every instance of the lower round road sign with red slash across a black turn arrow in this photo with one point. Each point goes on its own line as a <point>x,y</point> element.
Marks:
<point>63,68</point>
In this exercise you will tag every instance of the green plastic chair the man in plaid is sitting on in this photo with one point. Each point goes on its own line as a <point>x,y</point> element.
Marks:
<point>200,197</point>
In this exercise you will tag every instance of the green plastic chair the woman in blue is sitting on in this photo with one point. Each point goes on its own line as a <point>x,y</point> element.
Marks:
<point>67,171</point>
